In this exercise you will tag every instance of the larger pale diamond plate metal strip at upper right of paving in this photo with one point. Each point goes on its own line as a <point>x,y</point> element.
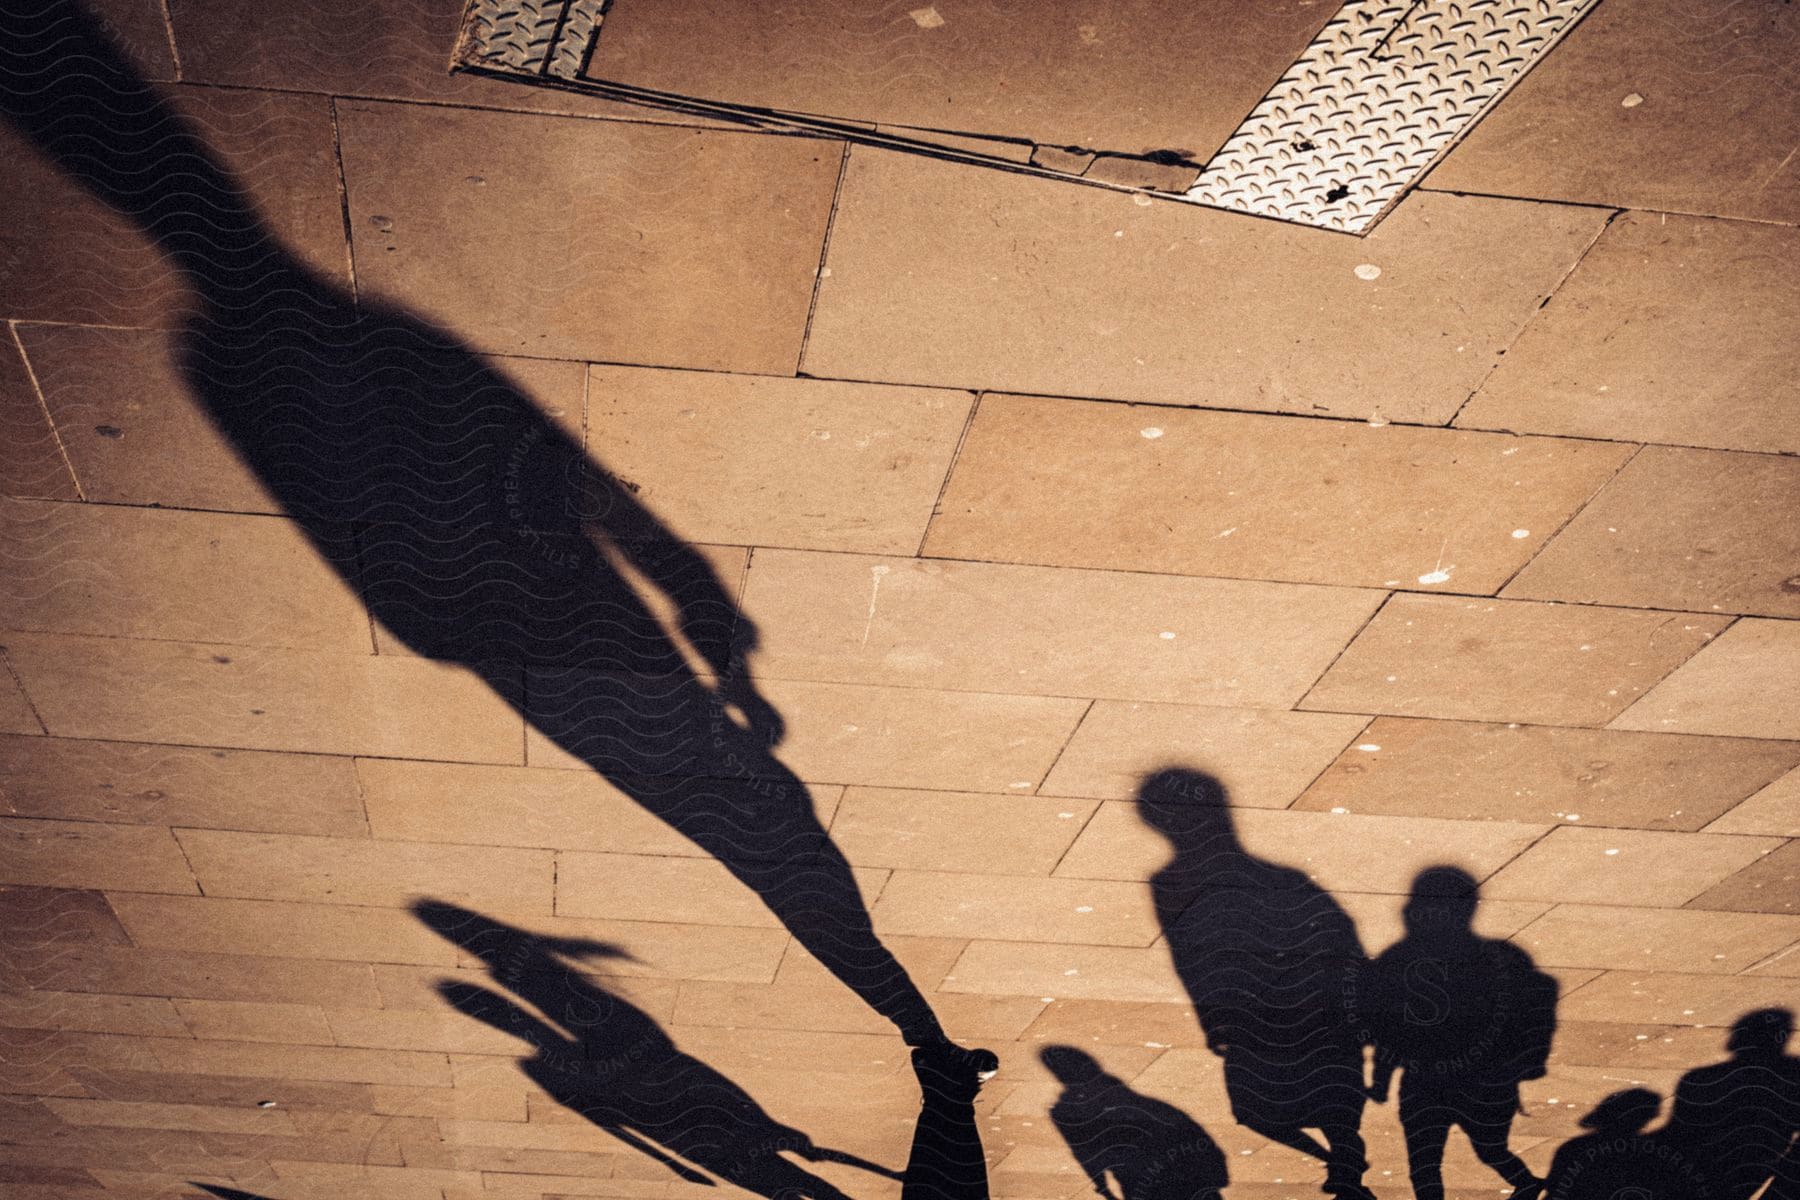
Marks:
<point>1381,93</point>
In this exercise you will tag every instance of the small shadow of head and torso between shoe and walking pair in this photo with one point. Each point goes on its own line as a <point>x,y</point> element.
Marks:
<point>1133,1147</point>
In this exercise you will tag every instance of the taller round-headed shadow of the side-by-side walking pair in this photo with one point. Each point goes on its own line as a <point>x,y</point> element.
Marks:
<point>1264,954</point>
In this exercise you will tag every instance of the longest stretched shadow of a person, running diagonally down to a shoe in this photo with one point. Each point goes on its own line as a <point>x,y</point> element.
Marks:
<point>474,528</point>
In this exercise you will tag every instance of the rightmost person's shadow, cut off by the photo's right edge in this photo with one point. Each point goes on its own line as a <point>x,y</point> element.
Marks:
<point>1740,1120</point>
